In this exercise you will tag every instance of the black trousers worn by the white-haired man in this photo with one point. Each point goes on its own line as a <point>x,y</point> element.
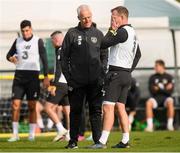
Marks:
<point>93,95</point>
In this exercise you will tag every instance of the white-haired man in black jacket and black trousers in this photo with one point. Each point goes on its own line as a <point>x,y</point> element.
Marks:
<point>83,64</point>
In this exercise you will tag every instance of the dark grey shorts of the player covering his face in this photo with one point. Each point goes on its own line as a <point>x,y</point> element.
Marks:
<point>117,85</point>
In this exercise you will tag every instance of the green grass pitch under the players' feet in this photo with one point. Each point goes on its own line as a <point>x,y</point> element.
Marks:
<point>159,141</point>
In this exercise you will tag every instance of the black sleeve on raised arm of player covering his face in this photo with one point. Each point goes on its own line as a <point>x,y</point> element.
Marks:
<point>114,37</point>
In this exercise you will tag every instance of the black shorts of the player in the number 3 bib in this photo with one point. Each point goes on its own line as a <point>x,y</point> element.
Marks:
<point>26,83</point>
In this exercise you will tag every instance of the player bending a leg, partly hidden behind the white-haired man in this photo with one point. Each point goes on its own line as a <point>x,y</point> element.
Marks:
<point>58,91</point>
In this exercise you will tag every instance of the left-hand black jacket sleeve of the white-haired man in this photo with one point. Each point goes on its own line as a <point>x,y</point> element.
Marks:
<point>65,55</point>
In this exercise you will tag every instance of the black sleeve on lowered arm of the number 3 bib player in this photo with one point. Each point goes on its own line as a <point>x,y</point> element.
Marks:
<point>43,56</point>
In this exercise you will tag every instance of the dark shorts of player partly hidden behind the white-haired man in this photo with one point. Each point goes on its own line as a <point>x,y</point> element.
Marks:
<point>61,97</point>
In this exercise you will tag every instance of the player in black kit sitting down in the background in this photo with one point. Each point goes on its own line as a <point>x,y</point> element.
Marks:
<point>161,85</point>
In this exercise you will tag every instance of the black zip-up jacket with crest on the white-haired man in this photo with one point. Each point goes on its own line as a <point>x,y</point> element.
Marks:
<point>83,62</point>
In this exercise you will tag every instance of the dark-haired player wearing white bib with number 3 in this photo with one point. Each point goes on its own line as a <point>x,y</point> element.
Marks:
<point>25,54</point>
